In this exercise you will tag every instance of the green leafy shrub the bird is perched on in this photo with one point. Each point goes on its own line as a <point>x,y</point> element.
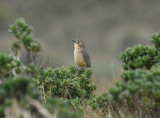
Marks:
<point>66,83</point>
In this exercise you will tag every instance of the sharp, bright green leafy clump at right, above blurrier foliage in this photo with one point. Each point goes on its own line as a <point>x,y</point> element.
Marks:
<point>140,57</point>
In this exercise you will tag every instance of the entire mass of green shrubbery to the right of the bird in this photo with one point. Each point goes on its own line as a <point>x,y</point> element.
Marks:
<point>138,93</point>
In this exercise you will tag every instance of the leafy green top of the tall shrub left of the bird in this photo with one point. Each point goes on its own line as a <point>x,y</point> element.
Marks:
<point>23,32</point>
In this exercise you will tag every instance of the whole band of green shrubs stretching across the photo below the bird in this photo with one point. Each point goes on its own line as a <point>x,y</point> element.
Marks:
<point>27,90</point>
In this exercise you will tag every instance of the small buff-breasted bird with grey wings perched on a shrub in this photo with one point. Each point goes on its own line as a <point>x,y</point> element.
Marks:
<point>81,57</point>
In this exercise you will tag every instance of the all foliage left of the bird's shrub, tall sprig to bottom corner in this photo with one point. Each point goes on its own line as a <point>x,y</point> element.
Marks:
<point>19,94</point>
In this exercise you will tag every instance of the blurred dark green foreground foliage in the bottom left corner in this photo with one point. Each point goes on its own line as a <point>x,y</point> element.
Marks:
<point>24,96</point>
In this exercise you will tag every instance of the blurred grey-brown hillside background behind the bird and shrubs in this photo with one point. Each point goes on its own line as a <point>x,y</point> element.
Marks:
<point>107,27</point>
